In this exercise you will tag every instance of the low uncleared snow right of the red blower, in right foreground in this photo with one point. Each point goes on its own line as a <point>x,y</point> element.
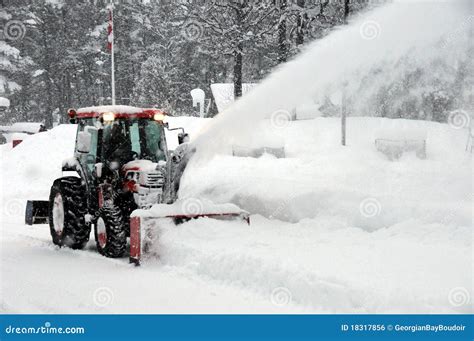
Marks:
<point>326,266</point>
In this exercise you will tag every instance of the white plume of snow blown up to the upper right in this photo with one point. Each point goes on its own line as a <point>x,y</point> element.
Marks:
<point>384,35</point>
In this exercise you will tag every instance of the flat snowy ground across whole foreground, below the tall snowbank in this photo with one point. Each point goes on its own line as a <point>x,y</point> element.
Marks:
<point>225,267</point>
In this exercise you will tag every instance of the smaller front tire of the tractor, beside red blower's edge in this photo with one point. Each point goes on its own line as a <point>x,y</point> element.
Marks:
<point>111,232</point>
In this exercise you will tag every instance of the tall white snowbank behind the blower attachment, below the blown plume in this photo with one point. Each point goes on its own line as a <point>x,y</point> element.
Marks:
<point>319,178</point>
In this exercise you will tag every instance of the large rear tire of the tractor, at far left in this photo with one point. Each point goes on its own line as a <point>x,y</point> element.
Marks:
<point>73,231</point>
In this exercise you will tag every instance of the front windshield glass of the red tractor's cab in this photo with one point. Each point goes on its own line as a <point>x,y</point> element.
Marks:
<point>125,140</point>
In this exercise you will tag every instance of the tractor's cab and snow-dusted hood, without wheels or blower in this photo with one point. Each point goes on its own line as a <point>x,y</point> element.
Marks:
<point>123,150</point>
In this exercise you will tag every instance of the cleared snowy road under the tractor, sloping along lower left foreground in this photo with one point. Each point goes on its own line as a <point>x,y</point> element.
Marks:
<point>38,277</point>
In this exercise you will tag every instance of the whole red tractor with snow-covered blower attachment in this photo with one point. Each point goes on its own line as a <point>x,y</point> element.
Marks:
<point>122,170</point>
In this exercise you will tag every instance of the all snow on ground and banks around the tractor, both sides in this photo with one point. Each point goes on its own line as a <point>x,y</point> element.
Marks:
<point>333,230</point>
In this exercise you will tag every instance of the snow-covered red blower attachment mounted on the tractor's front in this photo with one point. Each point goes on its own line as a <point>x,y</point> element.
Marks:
<point>144,222</point>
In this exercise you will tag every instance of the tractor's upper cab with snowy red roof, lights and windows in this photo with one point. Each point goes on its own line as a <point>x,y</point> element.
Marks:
<point>116,135</point>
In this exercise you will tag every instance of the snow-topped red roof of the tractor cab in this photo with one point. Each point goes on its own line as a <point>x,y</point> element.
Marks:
<point>120,111</point>
